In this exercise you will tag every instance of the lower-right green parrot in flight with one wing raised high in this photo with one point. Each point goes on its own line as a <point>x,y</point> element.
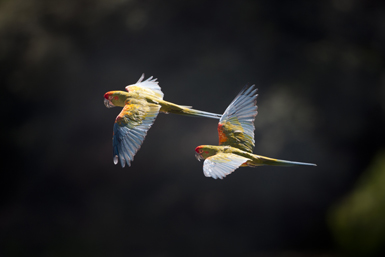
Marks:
<point>236,140</point>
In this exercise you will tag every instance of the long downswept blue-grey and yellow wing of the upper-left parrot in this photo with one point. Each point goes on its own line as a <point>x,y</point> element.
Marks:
<point>131,128</point>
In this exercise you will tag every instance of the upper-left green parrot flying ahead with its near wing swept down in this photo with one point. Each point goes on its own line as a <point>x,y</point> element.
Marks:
<point>141,104</point>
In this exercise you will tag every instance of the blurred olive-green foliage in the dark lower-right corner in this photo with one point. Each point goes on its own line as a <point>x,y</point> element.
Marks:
<point>357,222</point>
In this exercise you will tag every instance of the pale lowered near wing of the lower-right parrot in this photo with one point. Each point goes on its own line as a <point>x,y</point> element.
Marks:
<point>222,164</point>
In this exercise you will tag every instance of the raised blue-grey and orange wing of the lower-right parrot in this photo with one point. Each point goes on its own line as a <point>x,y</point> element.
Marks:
<point>236,127</point>
